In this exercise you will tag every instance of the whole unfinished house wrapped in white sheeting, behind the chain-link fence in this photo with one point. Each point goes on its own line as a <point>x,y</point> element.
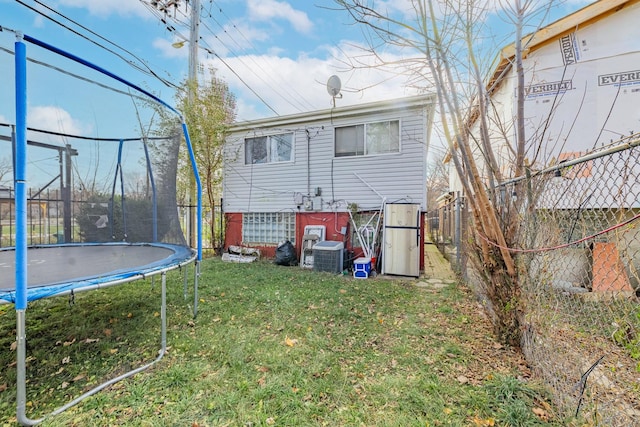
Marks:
<point>582,91</point>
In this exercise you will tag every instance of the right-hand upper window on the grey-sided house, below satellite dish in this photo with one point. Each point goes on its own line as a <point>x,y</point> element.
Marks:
<point>367,139</point>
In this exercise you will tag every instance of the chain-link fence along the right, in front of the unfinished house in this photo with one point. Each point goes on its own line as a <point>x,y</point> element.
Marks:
<point>578,253</point>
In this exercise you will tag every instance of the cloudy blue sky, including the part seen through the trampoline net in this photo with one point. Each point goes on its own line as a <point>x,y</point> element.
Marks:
<point>275,55</point>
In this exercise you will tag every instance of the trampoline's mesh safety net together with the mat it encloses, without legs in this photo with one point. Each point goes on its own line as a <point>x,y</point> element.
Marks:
<point>103,164</point>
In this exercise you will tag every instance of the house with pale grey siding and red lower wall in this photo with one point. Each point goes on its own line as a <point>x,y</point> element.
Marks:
<point>284,173</point>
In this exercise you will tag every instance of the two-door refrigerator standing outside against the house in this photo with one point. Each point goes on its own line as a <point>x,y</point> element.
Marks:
<point>401,235</point>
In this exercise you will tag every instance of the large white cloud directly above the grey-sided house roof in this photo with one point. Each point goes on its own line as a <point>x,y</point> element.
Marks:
<point>291,86</point>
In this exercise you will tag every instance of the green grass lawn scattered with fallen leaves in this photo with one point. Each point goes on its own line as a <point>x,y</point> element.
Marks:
<point>271,346</point>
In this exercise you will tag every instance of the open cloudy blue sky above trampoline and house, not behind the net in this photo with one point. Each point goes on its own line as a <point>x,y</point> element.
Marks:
<point>276,55</point>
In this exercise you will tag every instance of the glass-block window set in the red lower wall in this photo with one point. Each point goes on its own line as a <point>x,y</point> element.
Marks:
<point>268,227</point>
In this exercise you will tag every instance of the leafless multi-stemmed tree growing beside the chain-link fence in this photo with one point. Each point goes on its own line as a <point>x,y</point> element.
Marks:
<point>441,46</point>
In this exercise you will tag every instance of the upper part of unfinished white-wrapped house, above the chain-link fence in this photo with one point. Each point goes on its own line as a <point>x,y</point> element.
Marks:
<point>582,87</point>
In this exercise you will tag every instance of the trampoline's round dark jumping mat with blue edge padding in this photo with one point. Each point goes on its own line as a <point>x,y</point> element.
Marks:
<point>56,269</point>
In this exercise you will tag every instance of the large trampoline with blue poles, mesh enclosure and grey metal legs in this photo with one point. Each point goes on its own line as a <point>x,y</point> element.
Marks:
<point>120,224</point>
